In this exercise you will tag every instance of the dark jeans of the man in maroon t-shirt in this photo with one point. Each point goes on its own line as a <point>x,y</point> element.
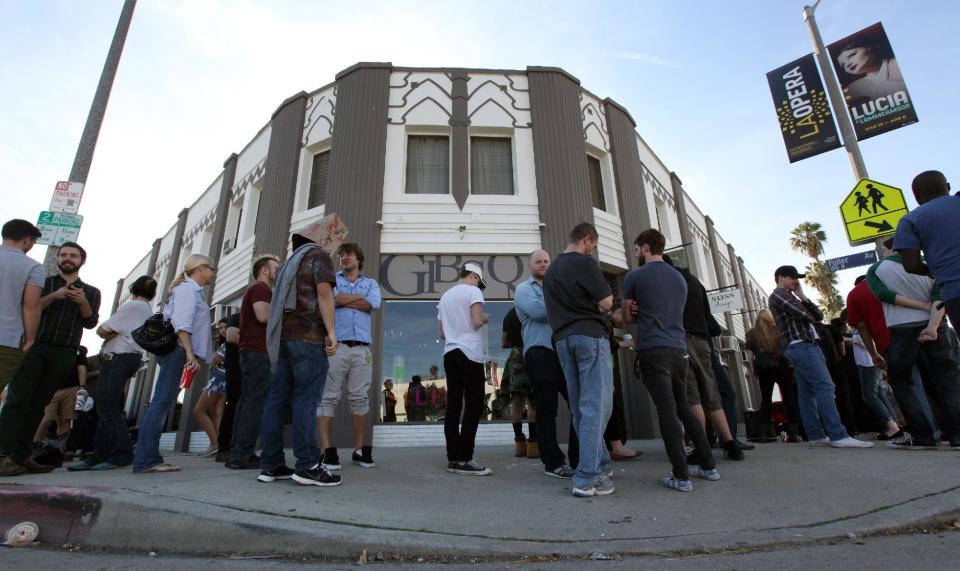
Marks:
<point>255,368</point>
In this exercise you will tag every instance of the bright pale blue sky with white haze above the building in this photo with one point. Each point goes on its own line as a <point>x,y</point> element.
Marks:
<point>199,78</point>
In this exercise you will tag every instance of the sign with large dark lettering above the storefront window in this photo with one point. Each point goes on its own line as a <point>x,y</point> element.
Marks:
<point>428,276</point>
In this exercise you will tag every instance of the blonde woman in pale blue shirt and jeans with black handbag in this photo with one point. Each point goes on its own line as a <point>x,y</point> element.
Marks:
<point>189,314</point>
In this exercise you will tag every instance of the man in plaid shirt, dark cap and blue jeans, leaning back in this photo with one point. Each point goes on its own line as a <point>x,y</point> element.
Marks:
<point>795,316</point>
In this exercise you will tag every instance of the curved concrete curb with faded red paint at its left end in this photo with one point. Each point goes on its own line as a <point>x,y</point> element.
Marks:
<point>119,519</point>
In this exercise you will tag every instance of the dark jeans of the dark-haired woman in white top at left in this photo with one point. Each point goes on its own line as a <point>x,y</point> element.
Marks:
<point>112,439</point>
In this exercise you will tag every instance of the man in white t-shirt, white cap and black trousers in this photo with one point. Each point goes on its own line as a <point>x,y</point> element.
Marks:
<point>461,319</point>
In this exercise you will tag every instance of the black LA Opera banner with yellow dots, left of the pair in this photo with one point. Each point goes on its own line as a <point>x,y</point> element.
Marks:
<point>806,120</point>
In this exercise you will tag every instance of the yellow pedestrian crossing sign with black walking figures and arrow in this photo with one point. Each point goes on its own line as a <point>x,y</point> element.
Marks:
<point>871,211</point>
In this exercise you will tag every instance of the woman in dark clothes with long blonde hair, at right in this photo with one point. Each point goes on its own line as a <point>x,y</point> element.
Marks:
<point>771,367</point>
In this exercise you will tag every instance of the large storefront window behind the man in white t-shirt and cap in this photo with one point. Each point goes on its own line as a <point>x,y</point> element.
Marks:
<point>411,346</point>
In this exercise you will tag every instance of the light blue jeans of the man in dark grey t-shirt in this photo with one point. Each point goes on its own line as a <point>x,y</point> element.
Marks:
<point>588,371</point>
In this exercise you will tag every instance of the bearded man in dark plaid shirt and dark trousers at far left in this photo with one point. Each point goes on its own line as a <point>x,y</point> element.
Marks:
<point>68,306</point>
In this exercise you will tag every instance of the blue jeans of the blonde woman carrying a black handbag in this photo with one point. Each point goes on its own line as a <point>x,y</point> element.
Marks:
<point>147,453</point>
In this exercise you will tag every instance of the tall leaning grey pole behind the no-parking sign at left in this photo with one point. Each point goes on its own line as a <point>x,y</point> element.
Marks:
<point>91,131</point>
